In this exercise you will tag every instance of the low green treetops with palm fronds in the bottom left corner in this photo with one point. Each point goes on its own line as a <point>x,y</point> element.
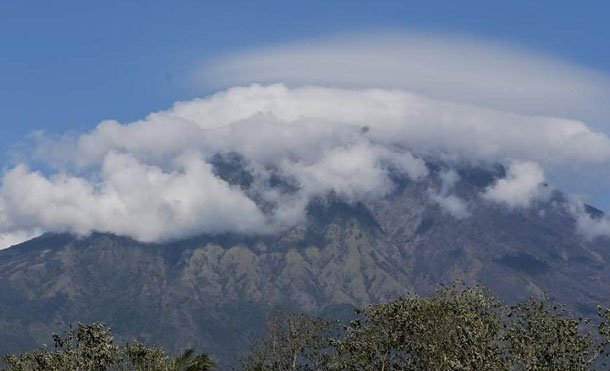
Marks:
<point>92,348</point>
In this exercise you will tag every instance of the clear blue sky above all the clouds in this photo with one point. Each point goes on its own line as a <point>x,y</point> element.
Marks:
<point>67,65</point>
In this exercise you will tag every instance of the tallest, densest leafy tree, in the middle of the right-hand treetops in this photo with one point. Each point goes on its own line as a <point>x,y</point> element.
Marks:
<point>451,330</point>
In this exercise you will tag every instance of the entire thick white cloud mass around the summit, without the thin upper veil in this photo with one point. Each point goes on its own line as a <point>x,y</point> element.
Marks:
<point>156,179</point>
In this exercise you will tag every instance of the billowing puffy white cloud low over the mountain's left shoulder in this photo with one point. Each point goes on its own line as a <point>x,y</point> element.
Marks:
<point>132,198</point>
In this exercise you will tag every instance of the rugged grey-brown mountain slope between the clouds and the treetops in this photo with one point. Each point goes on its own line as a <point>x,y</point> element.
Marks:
<point>211,292</point>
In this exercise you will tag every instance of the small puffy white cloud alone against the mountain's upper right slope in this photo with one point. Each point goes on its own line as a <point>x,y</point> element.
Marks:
<point>522,185</point>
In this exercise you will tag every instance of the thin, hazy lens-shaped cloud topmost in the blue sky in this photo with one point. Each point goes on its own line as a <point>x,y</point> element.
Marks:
<point>447,67</point>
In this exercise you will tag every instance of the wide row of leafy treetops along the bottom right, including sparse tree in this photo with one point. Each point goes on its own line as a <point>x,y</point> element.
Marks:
<point>455,329</point>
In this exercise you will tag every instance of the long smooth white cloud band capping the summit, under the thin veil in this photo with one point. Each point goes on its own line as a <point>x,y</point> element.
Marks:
<point>262,121</point>
